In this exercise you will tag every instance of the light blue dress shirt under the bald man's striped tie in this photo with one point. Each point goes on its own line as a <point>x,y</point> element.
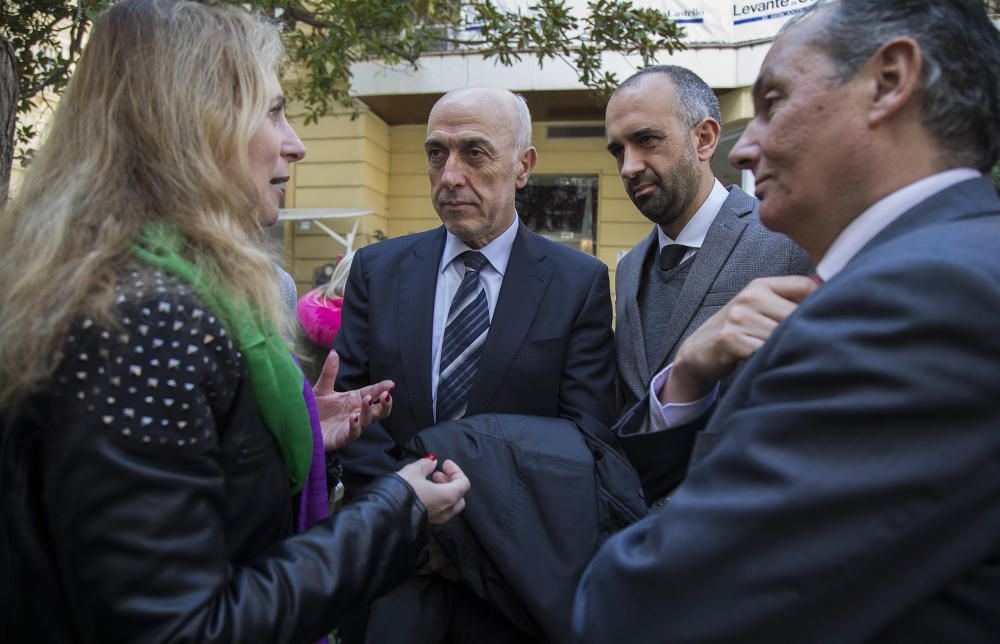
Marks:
<point>451,271</point>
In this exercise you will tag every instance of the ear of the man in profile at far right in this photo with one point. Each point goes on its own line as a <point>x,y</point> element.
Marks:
<point>895,75</point>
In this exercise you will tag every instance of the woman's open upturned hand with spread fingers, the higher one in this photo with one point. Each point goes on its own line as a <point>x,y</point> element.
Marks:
<point>342,415</point>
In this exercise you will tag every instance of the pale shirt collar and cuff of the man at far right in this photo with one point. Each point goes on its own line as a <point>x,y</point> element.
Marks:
<point>848,243</point>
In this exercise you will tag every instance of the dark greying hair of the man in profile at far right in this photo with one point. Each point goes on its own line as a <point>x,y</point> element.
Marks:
<point>960,78</point>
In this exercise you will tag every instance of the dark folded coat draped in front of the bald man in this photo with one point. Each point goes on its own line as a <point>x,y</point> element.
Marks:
<point>546,493</point>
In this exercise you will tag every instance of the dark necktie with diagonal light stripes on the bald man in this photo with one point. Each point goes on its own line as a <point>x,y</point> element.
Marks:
<point>464,336</point>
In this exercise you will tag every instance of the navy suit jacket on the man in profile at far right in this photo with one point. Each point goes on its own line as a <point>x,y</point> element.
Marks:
<point>847,488</point>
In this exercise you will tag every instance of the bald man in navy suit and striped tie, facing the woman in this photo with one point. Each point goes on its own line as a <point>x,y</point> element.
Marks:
<point>548,349</point>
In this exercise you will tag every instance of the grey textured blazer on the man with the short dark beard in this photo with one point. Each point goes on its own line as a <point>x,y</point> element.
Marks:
<point>737,249</point>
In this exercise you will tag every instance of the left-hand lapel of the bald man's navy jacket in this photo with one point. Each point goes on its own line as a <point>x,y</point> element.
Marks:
<point>418,275</point>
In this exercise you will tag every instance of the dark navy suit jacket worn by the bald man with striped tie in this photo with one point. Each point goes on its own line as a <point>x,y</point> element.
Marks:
<point>549,351</point>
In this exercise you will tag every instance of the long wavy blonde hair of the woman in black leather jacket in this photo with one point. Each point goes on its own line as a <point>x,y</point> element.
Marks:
<point>154,125</point>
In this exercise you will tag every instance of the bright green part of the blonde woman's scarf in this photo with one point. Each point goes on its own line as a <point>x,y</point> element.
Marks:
<point>275,378</point>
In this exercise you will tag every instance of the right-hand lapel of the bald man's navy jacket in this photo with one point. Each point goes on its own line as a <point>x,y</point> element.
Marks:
<point>521,293</point>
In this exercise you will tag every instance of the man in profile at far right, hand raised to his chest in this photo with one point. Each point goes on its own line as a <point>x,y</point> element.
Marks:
<point>847,488</point>
